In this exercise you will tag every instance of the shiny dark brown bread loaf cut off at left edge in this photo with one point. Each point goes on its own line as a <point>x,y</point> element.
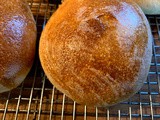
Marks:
<point>17,42</point>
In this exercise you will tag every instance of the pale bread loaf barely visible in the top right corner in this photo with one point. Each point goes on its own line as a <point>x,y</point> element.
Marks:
<point>149,6</point>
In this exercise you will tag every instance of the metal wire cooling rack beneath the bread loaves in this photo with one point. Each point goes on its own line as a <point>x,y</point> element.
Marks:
<point>37,99</point>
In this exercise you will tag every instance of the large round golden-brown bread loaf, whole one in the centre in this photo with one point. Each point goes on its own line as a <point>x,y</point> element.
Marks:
<point>97,52</point>
